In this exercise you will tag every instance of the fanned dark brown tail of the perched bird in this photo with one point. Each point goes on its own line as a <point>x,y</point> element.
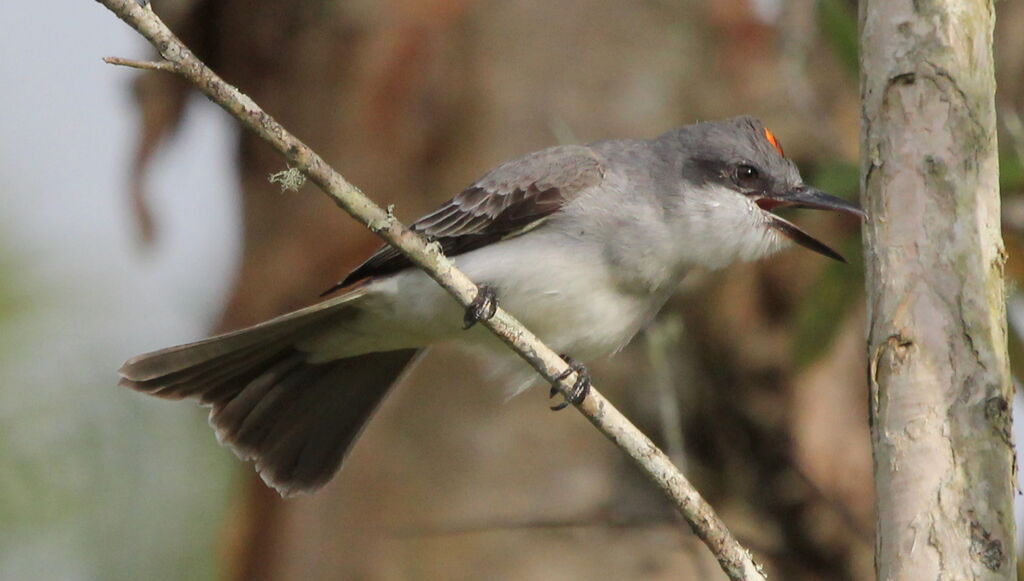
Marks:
<point>296,420</point>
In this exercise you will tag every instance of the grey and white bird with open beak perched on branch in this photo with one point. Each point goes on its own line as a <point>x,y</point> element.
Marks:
<point>583,243</point>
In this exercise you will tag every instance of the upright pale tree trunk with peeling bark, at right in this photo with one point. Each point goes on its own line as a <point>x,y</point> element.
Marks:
<point>941,390</point>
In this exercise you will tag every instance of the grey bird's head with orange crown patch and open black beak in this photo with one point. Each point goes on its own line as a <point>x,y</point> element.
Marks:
<point>732,176</point>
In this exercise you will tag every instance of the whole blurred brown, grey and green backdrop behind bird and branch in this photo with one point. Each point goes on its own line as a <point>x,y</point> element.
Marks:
<point>137,216</point>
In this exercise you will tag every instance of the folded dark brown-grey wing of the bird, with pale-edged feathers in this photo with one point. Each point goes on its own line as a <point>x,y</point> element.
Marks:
<point>509,200</point>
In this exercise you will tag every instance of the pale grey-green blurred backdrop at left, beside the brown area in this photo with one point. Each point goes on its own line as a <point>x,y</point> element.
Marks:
<point>98,482</point>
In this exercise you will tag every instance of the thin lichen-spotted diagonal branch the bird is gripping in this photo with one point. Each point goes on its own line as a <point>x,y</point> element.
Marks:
<point>736,561</point>
